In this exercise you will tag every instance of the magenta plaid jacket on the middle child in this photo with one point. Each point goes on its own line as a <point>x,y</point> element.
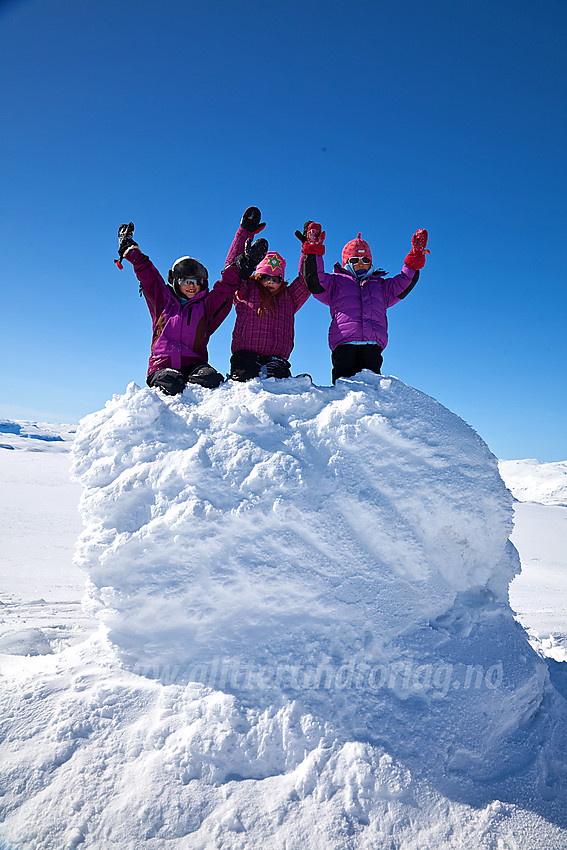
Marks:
<point>266,333</point>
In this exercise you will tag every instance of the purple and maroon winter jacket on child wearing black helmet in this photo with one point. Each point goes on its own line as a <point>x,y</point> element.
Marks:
<point>181,331</point>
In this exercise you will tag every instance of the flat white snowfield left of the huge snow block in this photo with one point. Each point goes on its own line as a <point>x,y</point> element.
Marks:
<point>41,589</point>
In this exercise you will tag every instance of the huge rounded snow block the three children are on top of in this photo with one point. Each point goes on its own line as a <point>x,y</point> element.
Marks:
<point>228,524</point>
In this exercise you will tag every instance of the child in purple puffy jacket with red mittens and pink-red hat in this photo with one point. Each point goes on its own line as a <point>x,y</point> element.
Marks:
<point>357,296</point>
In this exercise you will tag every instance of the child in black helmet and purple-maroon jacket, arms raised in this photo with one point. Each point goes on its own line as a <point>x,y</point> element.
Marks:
<point>185,312</point>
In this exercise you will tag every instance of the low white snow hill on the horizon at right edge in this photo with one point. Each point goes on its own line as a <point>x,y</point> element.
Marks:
<point>534,481</point>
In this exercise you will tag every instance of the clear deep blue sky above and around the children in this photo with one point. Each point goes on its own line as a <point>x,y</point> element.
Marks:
<point>380,117</point>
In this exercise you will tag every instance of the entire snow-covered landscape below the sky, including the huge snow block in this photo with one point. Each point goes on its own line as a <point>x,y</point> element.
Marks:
<point>279,615</point>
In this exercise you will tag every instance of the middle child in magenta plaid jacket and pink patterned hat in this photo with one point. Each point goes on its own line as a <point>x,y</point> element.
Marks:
<point>265,311</point>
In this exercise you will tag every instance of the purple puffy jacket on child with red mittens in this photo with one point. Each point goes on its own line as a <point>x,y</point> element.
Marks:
<point>358,308</point>
